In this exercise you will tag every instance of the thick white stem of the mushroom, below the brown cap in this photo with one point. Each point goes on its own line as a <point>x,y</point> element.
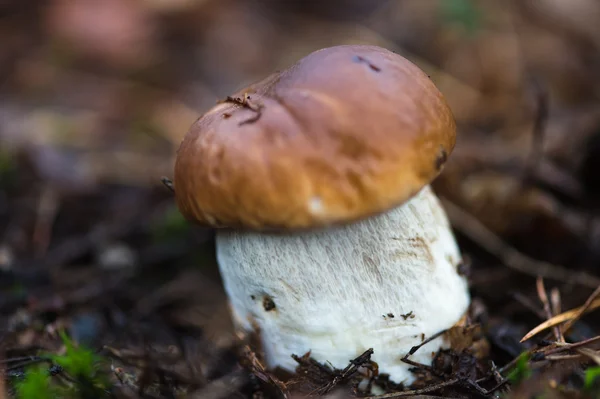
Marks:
<point>383,283</point>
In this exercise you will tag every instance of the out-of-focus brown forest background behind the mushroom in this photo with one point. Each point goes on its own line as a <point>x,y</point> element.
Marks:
<point>95,97</point>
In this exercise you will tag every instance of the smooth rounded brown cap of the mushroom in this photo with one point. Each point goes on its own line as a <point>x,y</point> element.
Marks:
<point>345,133</point>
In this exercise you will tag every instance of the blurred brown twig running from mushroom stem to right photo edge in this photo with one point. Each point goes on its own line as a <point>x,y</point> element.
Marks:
<point>515,260</point>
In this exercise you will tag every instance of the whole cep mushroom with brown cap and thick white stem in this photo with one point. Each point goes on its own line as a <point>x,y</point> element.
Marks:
<point>329,237</point>
